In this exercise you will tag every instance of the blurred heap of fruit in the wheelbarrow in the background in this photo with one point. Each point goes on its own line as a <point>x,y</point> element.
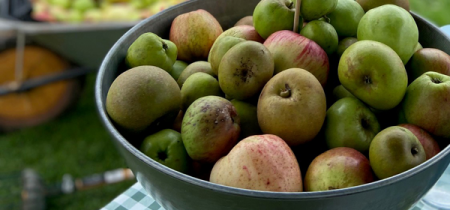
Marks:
<point>93,11</point>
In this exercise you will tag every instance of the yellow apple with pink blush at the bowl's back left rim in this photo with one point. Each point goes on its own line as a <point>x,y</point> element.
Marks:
<point>194,34</point>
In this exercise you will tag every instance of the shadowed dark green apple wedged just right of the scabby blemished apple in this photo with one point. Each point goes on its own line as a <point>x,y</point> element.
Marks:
<point>249,119</point>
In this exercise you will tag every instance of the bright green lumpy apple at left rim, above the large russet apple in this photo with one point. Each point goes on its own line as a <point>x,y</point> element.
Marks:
<point>149,49</point>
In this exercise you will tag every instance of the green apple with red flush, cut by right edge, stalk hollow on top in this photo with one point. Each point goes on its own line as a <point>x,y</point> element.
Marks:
<point>427,103</point>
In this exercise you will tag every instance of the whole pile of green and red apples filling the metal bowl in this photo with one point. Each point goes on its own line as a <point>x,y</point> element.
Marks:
<point>349,98</point>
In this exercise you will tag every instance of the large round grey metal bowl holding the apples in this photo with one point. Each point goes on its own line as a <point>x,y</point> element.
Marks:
<point>178,191</point>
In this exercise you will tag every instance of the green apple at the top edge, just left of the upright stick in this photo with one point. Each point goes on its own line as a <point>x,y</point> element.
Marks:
<point>281,16</point>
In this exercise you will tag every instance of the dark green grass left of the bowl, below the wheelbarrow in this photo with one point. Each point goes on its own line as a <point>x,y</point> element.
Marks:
<point>76,143</point>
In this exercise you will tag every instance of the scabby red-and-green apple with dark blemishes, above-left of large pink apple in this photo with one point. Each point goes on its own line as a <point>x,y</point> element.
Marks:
<point>210,128</point>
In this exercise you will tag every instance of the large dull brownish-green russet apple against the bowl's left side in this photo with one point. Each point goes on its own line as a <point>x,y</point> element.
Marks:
<point>141,95</point>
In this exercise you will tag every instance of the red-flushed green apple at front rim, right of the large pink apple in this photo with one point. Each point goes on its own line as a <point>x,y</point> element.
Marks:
<point>338,168</point>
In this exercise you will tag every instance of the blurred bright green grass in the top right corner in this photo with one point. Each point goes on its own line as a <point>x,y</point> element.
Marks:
<point>437,11</point>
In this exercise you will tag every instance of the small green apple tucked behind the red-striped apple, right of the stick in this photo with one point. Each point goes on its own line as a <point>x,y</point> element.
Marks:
<point>323,34</point>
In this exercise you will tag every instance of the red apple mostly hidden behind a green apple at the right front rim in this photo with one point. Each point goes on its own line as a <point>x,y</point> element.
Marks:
<point>429,144</point>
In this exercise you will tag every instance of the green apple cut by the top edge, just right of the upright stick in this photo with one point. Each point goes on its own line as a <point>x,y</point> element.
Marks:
<point>315,9</point>
